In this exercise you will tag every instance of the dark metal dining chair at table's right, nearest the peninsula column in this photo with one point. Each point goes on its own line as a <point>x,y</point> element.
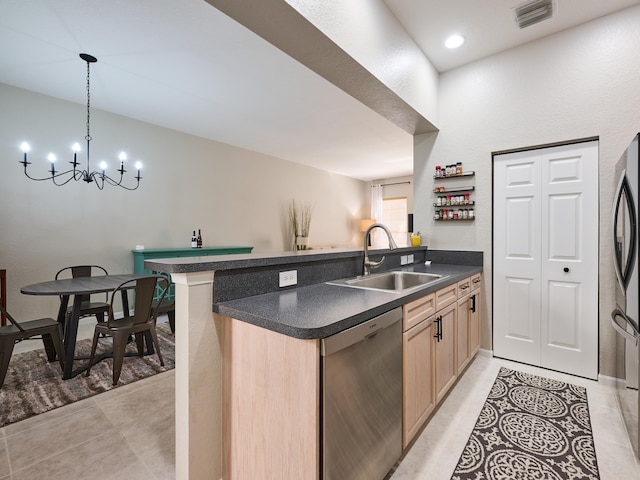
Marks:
<point>143,320</point>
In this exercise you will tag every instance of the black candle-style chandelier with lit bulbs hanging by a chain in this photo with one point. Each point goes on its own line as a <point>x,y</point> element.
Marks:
<point>99,177</point>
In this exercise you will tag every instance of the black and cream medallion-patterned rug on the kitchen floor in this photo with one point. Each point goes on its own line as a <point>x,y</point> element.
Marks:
<point>530,427</point>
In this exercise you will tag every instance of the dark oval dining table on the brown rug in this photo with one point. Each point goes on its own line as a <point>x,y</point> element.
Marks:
<point>76,287</point>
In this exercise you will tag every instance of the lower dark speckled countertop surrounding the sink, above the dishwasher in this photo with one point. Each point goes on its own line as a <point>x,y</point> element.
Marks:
<point>321,310</point>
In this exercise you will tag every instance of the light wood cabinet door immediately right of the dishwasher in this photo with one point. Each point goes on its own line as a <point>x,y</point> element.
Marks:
<point>418,389</point>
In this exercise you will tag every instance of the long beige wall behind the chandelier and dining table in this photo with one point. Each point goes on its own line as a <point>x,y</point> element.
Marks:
<point>235,196</point>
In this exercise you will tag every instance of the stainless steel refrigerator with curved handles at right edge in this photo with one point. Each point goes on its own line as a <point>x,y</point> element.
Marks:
<point>626,315</point>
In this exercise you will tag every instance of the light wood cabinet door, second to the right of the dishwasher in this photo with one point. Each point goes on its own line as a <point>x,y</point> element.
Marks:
<point>445,350</point>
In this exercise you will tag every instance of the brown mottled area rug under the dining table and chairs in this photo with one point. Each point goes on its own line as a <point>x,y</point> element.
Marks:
<point>33,385</point>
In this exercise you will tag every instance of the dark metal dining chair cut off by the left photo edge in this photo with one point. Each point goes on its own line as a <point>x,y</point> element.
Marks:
<point>48,328</point>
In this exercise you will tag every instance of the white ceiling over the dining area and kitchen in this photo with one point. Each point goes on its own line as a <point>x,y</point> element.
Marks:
<point>184,65</point>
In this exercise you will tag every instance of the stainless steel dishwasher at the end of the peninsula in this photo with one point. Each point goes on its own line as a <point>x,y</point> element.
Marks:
<point>362,399</point>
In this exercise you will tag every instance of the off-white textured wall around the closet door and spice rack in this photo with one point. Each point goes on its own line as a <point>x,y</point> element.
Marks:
<point>579,83</point>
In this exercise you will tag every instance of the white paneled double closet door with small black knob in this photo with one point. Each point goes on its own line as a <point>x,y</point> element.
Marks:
<point>545,258</point>
